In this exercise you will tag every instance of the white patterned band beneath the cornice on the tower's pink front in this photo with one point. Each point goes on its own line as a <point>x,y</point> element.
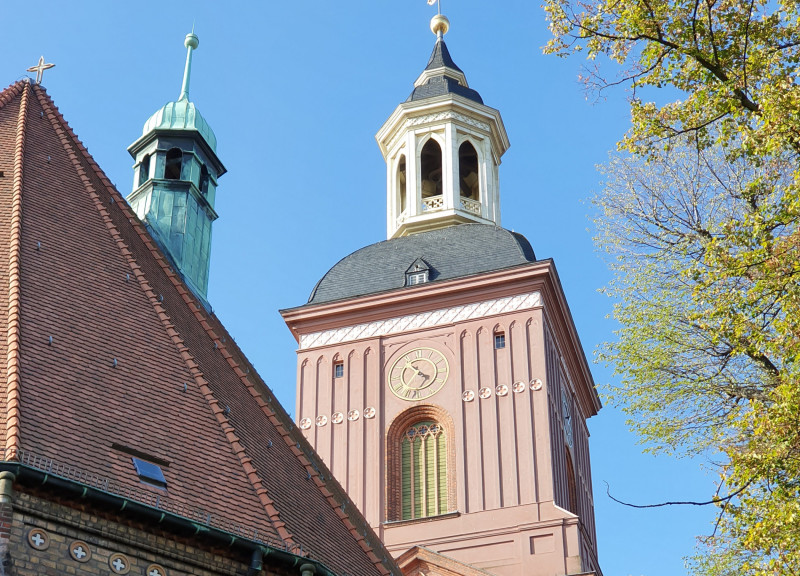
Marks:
<point>421,320</point>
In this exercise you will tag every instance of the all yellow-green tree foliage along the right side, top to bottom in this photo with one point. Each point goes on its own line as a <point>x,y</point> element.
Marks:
<point>700,217</point>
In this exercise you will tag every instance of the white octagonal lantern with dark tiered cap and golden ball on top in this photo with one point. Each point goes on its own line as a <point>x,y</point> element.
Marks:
<point>442,148</point>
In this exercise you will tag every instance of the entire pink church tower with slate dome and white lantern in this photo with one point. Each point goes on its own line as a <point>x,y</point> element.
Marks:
<point>440,374</point>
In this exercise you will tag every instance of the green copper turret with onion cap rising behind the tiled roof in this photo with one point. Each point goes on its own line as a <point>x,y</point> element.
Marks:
<point>175,179</point>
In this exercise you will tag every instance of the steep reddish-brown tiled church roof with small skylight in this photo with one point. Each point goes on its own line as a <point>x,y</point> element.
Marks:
<point>108,354</point>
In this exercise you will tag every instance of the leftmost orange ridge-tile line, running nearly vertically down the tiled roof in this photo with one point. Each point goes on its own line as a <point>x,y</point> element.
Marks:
<point>12,440</point>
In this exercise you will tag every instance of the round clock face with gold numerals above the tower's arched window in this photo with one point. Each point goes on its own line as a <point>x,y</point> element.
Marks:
<point>418,374</point>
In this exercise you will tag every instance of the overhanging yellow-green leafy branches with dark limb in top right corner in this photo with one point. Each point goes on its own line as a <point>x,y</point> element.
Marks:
<point>734,61</point>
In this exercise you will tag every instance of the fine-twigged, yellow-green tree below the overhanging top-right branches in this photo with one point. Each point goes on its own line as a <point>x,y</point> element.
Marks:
<point>707,342</point>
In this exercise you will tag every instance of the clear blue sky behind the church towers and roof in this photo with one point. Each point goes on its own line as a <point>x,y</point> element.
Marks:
<point>295,93</point>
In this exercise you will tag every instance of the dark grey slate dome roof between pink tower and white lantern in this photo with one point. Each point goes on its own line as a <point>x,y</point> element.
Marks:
<point>453,252</point>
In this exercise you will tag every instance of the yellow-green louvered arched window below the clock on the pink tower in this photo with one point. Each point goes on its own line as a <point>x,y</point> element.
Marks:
<point>424,471</point>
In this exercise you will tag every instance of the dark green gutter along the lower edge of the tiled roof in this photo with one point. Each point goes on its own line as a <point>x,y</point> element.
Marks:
<point>16,471</point>
